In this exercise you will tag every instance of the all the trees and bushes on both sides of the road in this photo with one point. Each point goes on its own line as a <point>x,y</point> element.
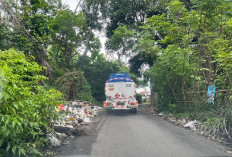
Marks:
<point>51,54</point>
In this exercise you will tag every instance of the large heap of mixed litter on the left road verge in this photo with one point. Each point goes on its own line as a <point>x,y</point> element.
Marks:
<point>74,118</point>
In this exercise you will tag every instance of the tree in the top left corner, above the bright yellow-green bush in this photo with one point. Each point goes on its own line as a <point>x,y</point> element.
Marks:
<point>30,27</point>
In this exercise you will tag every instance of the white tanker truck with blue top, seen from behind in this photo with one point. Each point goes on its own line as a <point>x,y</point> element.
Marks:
<point>120,91</point>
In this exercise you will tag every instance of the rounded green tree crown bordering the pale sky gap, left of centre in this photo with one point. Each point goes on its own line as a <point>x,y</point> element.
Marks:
<point>70,35</point>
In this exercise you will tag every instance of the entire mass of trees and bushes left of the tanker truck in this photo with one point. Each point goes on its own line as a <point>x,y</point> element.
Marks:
<point>49,55</point>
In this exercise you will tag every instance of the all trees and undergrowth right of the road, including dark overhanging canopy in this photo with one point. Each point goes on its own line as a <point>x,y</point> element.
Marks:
<point>187,47</point>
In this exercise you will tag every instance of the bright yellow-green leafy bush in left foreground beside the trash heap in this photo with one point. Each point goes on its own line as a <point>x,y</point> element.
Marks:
<point>26,107</point>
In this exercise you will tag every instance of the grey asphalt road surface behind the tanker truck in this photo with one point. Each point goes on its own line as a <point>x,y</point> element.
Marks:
<point>140,135</point>
